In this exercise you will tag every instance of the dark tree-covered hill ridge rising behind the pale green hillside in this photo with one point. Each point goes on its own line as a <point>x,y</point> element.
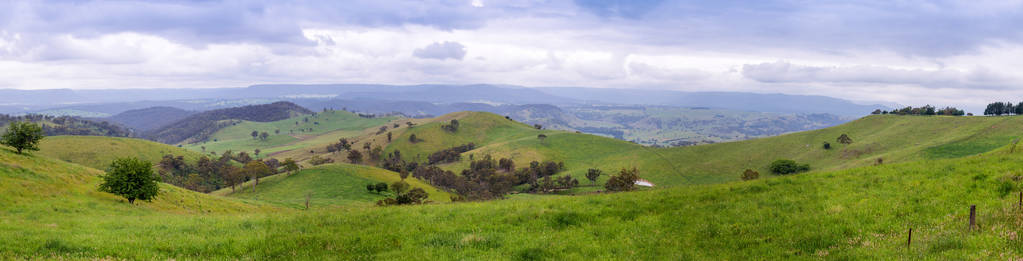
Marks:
<point>201,126</point>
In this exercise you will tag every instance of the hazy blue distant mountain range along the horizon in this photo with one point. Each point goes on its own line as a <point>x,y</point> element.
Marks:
<point>112,102</point>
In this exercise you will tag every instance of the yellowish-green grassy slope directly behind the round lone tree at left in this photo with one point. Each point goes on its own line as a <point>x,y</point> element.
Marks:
<point>99,153</point>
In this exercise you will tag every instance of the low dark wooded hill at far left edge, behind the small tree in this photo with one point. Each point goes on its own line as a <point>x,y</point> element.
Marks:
<point>66,125</point>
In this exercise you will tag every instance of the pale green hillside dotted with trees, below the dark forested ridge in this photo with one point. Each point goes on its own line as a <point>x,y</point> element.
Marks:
<point>288,135</point>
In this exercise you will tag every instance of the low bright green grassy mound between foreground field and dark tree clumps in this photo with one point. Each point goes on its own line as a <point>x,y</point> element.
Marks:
<point>335,185</point>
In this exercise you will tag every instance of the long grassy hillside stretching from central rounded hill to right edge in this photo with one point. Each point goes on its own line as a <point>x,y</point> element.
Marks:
<point>894,139</point>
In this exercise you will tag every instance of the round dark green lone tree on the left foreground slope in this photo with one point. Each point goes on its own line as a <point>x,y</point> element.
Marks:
<point>131,179</point>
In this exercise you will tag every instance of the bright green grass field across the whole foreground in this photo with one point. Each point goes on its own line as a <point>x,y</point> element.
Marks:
<point>861,213</point>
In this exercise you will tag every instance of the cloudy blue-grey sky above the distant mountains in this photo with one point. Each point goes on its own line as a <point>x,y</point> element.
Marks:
<point>910,53</point>
